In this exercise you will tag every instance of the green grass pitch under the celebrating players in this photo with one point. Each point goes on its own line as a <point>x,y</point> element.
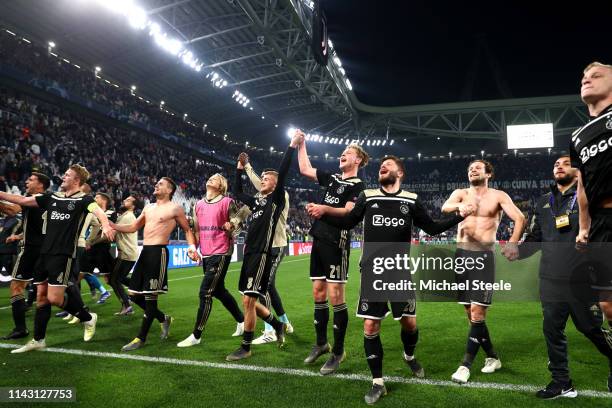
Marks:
<point>515,329</point>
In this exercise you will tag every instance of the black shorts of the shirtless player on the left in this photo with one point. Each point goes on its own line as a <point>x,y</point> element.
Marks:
<point>151,271</point>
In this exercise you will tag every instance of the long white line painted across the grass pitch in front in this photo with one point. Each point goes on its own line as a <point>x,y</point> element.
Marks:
<point>525,388</point>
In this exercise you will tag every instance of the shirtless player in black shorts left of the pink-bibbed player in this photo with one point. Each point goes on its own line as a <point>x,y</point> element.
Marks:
<point>150,277</point>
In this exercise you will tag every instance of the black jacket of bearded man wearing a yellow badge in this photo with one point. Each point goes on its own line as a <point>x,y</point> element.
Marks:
<point>560,260</point>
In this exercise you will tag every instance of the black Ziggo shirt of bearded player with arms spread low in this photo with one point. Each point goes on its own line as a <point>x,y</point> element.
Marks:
<point>389,217</point>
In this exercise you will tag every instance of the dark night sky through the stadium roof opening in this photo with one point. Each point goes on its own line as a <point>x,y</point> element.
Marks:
<point>404,52</point>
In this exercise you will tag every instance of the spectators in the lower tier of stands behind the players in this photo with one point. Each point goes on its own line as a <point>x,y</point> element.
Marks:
<point>35,135</point>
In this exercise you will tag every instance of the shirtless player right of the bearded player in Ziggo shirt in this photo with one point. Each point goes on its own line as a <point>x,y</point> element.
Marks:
<point>476,240</point>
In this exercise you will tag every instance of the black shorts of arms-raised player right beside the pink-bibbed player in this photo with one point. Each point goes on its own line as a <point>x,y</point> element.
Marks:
<point>255,274</point>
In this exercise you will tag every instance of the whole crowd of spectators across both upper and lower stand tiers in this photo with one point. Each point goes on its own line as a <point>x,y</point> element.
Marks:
<point>35,135</point>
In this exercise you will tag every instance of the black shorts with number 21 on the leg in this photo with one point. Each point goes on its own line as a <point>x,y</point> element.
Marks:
<point>328,262</point>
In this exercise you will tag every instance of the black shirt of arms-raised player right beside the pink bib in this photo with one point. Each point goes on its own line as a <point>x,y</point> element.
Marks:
<point>265,211</point>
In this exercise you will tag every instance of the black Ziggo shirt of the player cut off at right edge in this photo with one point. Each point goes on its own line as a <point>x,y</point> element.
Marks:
<point>591,152</point>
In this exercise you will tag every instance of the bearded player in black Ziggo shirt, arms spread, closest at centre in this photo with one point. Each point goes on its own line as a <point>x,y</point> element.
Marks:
<point>388,214</point>
